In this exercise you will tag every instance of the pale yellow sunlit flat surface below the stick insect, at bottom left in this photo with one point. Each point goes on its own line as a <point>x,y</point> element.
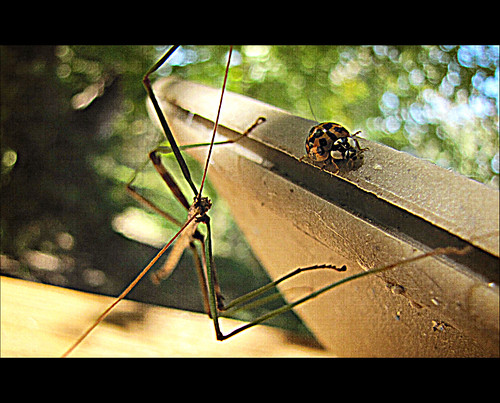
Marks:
<point>39,320</point>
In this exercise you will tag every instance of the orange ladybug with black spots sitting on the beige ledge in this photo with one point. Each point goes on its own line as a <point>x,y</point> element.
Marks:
<point>331,141</point>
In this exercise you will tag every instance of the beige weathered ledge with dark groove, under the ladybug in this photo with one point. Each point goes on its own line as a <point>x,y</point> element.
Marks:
<point>392,207</point>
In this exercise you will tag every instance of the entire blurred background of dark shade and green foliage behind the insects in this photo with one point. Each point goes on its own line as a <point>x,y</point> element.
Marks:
<point>74,128</point>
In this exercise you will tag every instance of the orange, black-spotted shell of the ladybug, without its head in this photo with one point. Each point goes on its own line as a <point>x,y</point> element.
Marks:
<point>320,140</point>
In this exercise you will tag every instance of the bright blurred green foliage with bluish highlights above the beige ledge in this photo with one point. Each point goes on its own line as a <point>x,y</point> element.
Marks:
<point>437,102</point>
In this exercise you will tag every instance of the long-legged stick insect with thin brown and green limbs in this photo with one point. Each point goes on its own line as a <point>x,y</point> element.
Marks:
<point>189,235</point>
